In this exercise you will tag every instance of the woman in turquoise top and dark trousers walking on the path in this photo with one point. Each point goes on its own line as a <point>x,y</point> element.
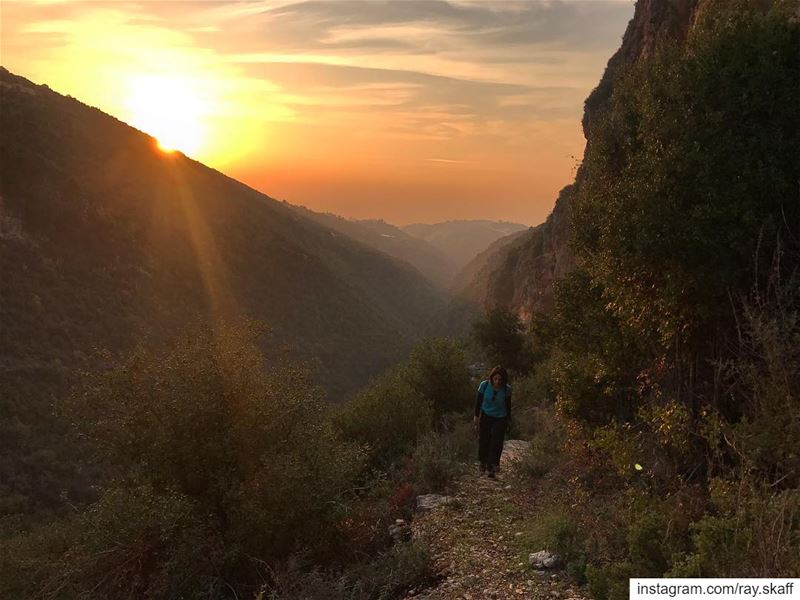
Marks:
<point>492,416</point>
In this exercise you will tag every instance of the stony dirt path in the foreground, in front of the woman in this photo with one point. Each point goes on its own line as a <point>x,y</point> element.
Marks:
<point>475,541</point>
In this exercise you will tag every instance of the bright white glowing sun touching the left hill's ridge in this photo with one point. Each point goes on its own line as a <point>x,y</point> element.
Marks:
<point>171,109</point>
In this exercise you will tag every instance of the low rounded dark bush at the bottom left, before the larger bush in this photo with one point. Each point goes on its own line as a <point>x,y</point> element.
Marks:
<point>138,543</point>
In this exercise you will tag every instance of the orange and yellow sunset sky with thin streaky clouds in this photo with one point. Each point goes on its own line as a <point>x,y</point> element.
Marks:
<point>405,110</point>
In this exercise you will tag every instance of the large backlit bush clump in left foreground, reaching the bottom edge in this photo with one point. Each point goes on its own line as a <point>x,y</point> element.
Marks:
<point>214,458</point>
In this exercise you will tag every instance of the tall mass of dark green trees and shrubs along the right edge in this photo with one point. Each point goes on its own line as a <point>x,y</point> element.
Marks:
<point>674,343</point>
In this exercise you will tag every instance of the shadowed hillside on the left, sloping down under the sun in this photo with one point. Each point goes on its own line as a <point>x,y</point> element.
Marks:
<point>106,242</point>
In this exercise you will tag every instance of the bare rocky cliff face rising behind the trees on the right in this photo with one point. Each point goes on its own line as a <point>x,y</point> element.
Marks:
<point>518,272</point>
